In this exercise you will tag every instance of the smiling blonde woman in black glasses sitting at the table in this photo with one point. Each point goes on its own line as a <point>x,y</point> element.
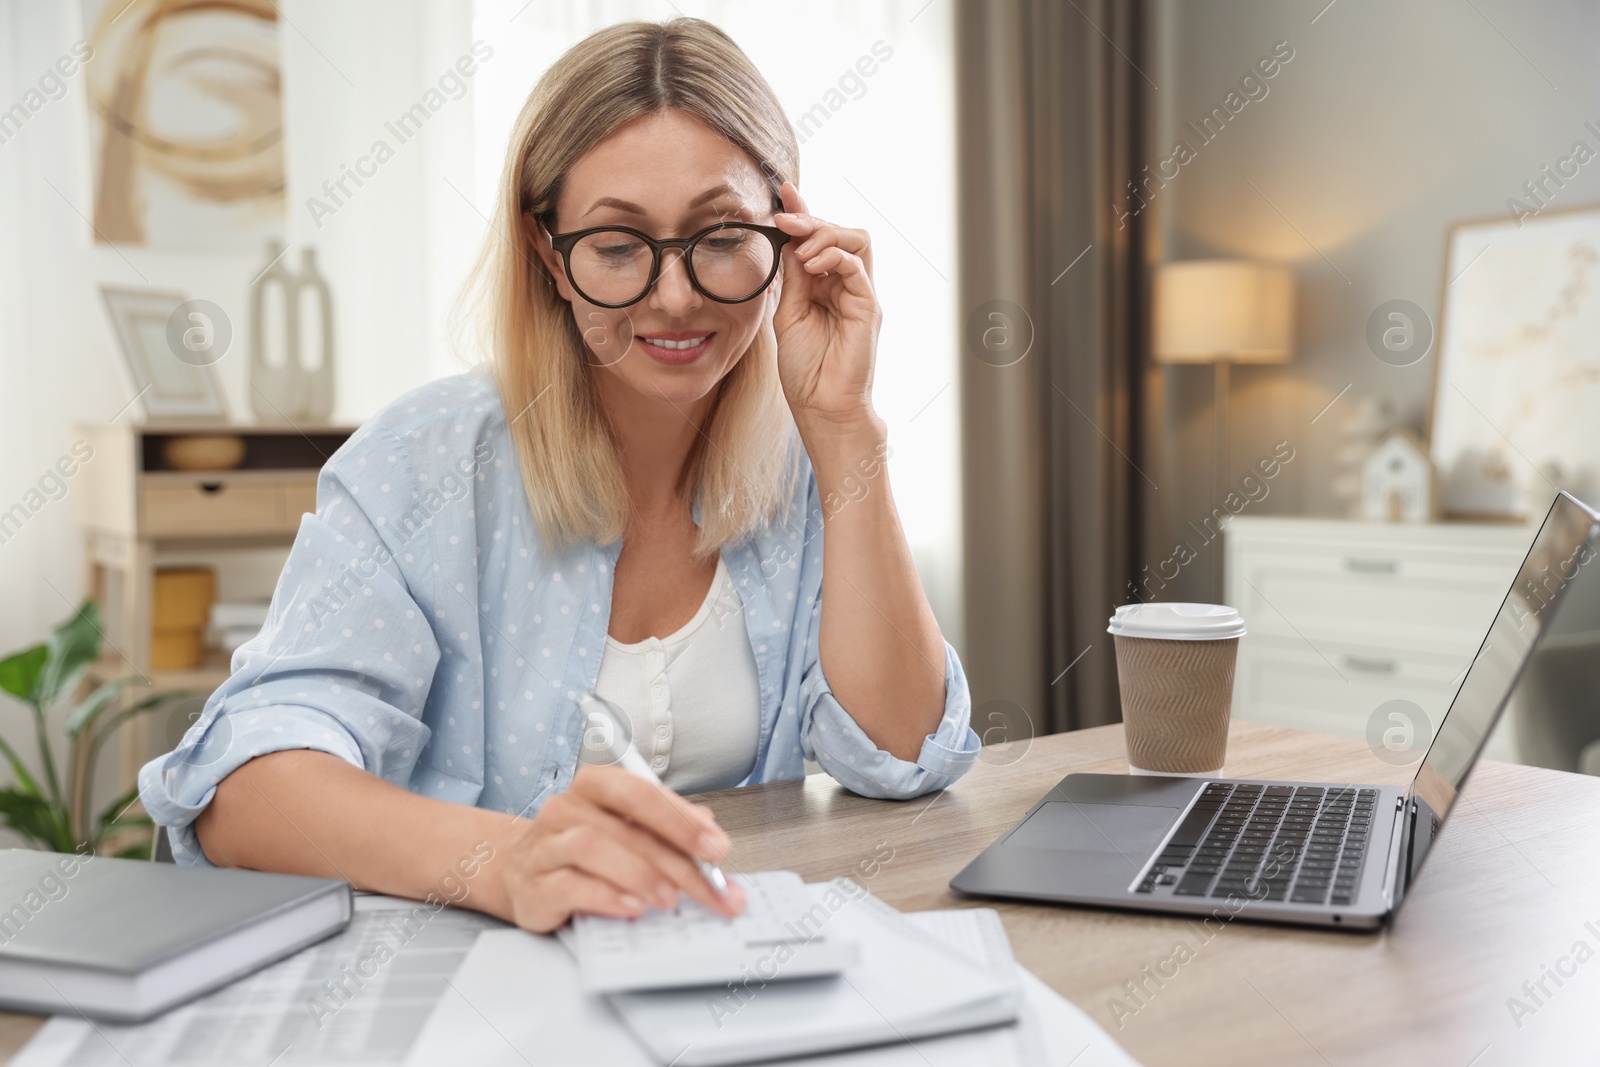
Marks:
<point>670,490</point>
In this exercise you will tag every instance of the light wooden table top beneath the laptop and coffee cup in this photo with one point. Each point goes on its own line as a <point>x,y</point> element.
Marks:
<point>1506,893</point>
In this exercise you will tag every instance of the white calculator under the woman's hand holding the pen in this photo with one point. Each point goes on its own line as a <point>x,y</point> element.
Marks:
<point>783,933</point>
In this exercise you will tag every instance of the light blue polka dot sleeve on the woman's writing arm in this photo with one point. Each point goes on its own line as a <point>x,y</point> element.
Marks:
<point>346,657</point>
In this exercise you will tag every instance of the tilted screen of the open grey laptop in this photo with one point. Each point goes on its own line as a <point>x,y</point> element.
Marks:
<point>1559,567</point>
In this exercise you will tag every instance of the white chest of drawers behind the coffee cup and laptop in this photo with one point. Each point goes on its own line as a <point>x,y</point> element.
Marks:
<point>1345,617</point>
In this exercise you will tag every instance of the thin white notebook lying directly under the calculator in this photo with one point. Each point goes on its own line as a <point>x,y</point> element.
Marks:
<point>908,986</point>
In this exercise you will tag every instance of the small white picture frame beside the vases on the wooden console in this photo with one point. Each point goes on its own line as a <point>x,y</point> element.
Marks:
<point>166,386</point>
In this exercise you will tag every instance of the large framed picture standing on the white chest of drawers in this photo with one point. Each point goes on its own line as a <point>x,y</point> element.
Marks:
<point>1518,377</point>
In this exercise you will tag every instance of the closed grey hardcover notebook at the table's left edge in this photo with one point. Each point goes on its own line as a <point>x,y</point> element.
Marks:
<point>126,940</point>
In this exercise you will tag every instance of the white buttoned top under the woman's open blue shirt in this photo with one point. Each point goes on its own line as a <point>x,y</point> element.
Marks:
<point>692,698</point>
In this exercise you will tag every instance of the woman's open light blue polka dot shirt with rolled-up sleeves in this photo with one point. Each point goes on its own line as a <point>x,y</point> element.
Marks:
<point>422,633</point>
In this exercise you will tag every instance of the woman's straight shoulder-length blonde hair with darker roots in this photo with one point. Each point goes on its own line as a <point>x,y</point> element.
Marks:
<point>743,465</point>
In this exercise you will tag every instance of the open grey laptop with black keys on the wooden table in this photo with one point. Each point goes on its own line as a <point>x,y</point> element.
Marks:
<point>1303,853</point>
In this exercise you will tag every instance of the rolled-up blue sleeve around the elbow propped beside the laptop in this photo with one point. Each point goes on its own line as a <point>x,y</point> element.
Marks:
<point>838,743</point>
